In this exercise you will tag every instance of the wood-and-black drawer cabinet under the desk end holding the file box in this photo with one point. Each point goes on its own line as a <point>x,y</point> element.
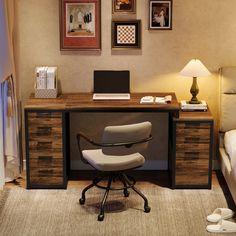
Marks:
<point>45,154</point>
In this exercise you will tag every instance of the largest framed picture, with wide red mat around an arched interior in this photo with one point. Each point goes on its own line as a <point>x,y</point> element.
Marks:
<point>80,24</point>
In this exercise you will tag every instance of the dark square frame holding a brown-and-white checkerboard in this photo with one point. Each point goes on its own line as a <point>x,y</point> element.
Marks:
<point>126,34</point>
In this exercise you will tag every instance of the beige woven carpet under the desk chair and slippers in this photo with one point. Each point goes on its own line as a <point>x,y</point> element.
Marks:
<point>58,212</point>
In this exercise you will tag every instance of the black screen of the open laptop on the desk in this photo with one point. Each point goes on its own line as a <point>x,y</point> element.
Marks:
<point>111,81</point>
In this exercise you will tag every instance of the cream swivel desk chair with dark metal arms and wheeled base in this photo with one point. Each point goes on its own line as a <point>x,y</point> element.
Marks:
<point>117,153</point>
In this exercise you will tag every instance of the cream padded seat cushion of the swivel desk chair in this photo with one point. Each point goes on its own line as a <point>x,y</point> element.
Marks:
<point>103,162</point>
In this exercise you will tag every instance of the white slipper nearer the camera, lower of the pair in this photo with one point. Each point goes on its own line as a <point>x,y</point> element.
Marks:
<point>223,226</point>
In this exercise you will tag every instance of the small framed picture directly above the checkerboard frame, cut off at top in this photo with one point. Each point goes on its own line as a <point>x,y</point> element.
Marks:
<point>123,6</point>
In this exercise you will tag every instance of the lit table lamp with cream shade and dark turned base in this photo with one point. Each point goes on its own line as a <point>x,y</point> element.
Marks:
<point>194,69</point>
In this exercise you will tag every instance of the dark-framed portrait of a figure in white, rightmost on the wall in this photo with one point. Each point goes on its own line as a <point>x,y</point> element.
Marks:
<point>160,15</point>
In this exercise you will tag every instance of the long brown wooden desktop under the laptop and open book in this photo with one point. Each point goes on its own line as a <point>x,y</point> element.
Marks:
<point>85,102</point>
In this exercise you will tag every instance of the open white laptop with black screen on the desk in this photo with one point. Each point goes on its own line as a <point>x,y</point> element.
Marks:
<point>111,85</point>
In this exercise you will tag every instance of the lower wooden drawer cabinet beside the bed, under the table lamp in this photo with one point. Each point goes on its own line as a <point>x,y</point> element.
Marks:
<point>192,150</point>
